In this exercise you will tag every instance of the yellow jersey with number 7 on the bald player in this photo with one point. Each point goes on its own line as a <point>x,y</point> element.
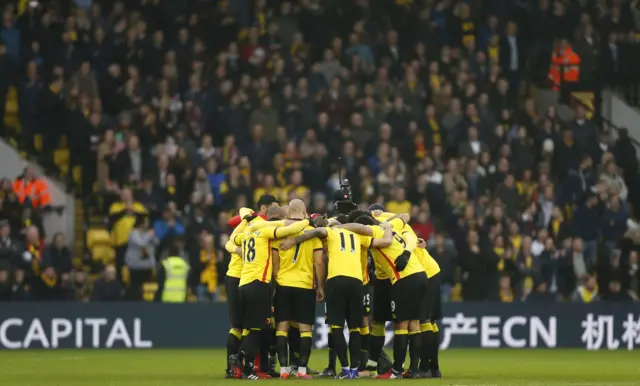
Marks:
<point>296,264</point>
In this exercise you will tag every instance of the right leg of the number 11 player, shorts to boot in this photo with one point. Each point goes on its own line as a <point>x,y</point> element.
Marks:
<point>354,322</point>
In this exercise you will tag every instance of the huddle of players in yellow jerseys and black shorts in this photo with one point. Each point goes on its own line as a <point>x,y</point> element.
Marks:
<point>283,244</point>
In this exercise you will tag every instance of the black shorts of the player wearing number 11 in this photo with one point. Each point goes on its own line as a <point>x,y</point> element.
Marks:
<point>344,301</point>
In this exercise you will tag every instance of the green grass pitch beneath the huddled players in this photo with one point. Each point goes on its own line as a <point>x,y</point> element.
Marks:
<point>206,367</point>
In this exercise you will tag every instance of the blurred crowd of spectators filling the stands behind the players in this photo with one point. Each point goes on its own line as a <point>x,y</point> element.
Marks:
<point>165,116</point>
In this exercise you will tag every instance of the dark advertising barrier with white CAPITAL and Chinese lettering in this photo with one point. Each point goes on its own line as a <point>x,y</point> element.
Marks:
<point>151,325</point>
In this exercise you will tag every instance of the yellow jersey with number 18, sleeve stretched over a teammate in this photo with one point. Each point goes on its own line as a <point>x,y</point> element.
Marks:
<point>256,250</point>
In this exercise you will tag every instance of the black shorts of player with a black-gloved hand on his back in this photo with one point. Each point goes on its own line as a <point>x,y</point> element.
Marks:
<point>407,295</point>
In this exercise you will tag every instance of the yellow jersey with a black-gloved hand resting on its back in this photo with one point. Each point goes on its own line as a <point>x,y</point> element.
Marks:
<point>386,257</point>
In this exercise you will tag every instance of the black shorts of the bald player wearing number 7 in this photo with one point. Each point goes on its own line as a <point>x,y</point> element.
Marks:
<point>295,304</point>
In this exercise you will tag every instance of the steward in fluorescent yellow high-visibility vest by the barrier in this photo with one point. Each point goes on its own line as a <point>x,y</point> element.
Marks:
<point>172,278</point>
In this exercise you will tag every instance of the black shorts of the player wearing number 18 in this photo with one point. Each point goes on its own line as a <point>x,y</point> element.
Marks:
<point>255,299</point>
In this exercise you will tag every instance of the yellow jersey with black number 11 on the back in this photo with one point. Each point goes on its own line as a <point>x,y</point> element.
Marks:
<point>344,250</point>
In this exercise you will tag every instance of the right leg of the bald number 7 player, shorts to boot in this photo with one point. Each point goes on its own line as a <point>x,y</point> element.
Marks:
<point>305,314</point>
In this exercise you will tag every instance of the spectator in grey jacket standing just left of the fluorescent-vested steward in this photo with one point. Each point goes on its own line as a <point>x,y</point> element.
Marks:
<point>140,256</point>
